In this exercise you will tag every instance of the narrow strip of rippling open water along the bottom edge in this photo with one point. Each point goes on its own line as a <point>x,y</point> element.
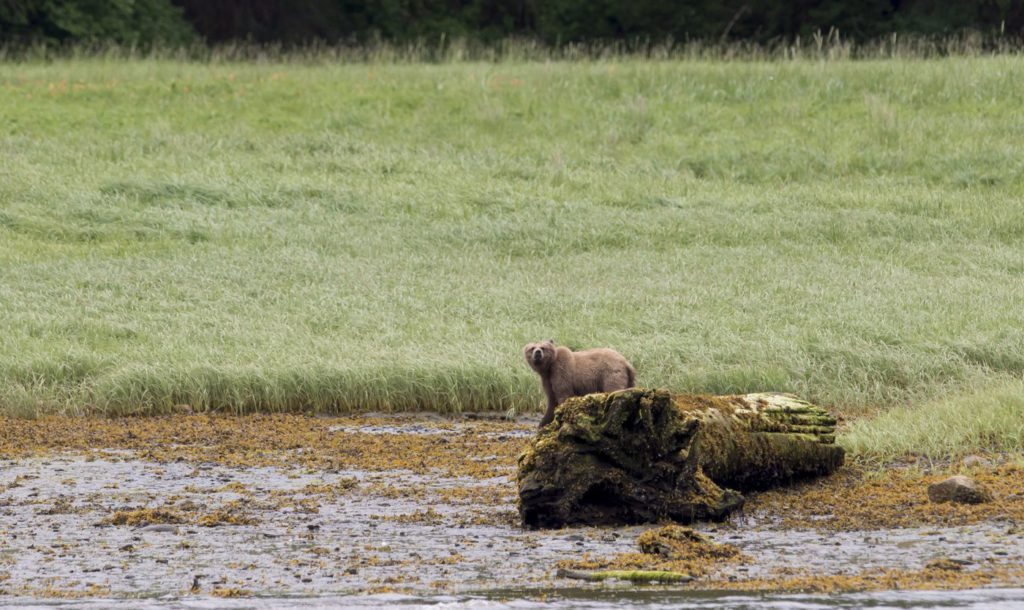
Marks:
<point>980,599</point>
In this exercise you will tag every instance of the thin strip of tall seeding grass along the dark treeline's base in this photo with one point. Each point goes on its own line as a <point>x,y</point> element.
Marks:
<point>829,46</point>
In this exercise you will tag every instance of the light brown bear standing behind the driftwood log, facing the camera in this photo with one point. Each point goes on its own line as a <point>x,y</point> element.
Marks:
<point>565,374</point>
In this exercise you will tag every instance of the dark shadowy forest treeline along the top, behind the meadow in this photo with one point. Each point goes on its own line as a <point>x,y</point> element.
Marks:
<point>289,23</point>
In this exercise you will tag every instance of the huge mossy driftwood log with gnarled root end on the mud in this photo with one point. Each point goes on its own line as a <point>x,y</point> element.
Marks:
<point>646,456</point>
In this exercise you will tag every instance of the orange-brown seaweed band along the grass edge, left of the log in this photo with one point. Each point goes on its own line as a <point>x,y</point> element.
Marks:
<point>271,441</point>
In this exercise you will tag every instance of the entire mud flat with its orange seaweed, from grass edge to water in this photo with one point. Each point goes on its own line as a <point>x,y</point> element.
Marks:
<point>192,510</point>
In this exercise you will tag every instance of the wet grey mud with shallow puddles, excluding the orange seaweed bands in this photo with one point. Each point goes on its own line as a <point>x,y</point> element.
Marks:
<point>332,540</point>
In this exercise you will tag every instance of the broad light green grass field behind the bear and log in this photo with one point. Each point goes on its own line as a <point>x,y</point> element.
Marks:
<point>285,236</point>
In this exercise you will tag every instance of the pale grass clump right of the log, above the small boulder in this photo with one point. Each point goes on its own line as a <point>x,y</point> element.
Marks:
<point>990,420</point>
